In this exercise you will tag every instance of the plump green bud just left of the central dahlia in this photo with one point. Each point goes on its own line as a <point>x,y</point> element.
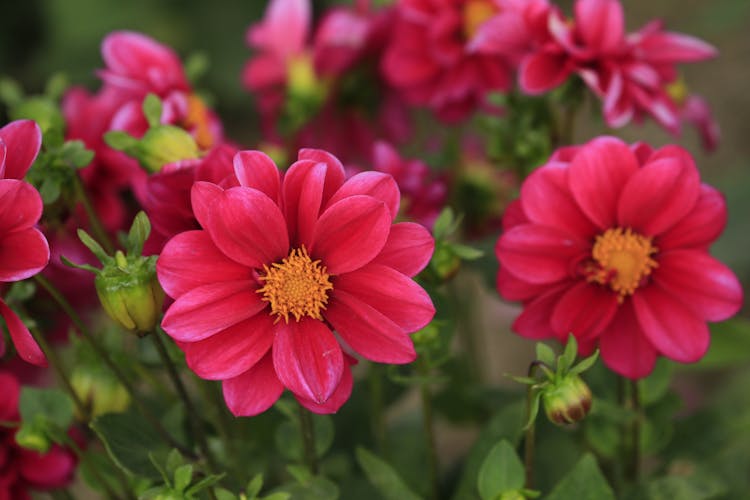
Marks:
<point>130,292</point>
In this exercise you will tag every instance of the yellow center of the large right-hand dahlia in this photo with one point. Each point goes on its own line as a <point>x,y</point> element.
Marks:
<point>622,260</point>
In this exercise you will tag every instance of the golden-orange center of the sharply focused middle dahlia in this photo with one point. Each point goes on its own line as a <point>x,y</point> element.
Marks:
<point>298,286</point>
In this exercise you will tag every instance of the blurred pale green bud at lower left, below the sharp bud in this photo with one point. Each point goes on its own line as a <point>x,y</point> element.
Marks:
<point>99,391</point>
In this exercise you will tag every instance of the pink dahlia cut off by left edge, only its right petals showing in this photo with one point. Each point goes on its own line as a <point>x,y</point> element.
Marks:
<point>23,248</point>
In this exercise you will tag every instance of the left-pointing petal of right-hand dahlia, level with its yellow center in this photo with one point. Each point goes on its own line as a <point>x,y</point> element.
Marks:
<point>539,254</point>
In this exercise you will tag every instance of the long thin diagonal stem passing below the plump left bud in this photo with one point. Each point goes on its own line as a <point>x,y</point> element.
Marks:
<point>104,355</point>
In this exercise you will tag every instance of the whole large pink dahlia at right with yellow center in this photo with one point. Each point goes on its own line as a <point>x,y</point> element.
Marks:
<point>610,242</point>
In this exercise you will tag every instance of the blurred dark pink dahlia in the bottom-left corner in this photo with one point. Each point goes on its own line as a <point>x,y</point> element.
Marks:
<point>22,470</point>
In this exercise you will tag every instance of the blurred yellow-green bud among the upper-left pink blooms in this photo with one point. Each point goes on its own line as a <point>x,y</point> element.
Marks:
<point>166,144</point>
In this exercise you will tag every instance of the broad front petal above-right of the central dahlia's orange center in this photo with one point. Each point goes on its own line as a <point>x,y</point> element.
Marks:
<point>351,233</point>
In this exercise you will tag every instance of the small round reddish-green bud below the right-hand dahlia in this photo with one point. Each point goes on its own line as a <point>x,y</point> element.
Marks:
<point>567,400</point>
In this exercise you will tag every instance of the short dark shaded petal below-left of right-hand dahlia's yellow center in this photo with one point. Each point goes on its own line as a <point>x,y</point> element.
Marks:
<point>584,310</point>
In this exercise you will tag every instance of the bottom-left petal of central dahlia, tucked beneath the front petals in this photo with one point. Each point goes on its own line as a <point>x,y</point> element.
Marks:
<point>254,391</point>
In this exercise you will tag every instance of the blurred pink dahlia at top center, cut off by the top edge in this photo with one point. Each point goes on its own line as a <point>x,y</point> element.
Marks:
<point>429,58</point>
